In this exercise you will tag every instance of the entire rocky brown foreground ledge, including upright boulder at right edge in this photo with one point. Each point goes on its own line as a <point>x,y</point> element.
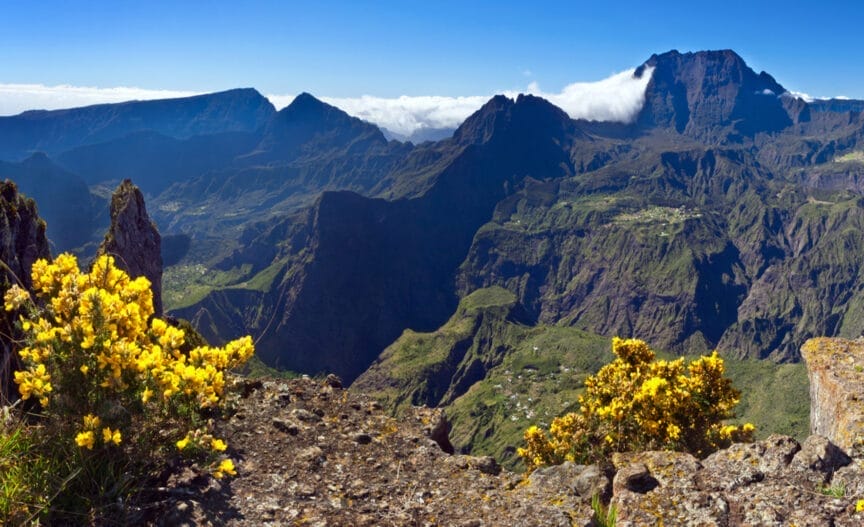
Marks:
<point>312,453</point>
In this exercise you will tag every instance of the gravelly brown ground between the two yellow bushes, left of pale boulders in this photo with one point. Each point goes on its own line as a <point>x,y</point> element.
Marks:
<point>311,453</point>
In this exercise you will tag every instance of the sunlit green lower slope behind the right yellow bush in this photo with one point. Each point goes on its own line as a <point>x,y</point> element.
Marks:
<point>495,376</point>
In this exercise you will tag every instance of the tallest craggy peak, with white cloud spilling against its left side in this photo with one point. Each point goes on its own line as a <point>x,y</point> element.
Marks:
<point>710,95</point>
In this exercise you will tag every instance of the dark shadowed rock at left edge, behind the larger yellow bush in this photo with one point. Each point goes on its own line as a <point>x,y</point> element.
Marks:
<point>22,242</point>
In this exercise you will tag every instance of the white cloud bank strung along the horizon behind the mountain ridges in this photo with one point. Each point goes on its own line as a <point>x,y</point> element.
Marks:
<point>617,98</point>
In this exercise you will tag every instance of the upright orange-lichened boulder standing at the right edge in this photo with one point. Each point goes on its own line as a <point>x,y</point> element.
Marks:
<point>836,370</point>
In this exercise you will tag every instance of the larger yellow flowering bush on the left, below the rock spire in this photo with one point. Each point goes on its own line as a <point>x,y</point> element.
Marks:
<point>114,384</point>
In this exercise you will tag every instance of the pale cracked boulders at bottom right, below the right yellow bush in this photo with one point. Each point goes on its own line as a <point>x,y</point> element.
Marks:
<point>772,482</point>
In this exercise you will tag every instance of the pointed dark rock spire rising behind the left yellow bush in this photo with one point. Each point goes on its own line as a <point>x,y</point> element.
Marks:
<point>133,239</point>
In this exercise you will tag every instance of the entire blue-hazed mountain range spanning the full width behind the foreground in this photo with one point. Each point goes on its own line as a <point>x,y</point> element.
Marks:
<point>727,214</point>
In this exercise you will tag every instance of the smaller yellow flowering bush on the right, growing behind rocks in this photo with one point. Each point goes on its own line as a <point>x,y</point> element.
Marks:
<point>639,403</point>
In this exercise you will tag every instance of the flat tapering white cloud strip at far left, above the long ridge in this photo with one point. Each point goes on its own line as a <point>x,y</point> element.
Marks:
<point>16,98</point>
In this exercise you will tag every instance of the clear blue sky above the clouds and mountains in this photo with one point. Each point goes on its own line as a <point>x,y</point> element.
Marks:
<point>394,48</point>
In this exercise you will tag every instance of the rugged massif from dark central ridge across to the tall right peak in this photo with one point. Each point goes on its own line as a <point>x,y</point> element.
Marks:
<point>712,221</point>
